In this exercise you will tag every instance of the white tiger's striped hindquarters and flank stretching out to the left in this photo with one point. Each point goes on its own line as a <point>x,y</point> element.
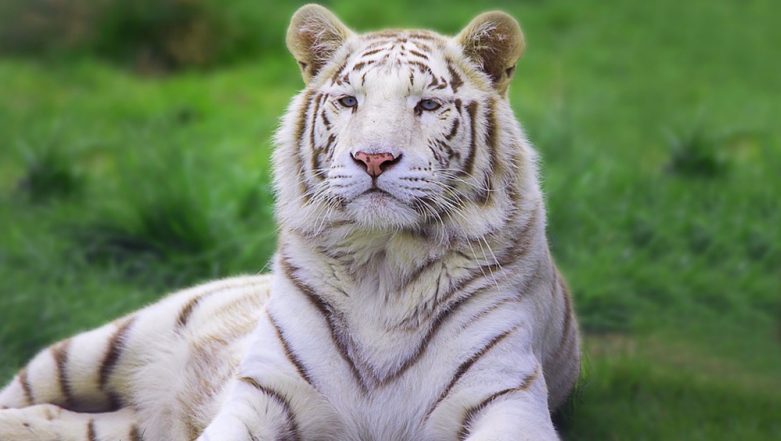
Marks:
<point>169,362</point>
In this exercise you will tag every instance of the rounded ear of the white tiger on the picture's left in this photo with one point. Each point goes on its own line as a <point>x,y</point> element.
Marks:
<point>313,36</point>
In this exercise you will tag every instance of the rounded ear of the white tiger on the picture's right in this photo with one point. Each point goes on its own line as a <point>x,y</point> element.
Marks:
<point>494,41</point>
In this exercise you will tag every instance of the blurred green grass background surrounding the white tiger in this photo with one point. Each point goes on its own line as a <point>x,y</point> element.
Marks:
<point>134,159</point>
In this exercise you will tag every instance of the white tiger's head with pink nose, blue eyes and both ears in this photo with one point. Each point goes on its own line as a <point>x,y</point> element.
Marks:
<point>402,130</point>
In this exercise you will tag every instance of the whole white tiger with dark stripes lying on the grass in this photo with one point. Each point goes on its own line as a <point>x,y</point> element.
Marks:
<point>413,295</point>
